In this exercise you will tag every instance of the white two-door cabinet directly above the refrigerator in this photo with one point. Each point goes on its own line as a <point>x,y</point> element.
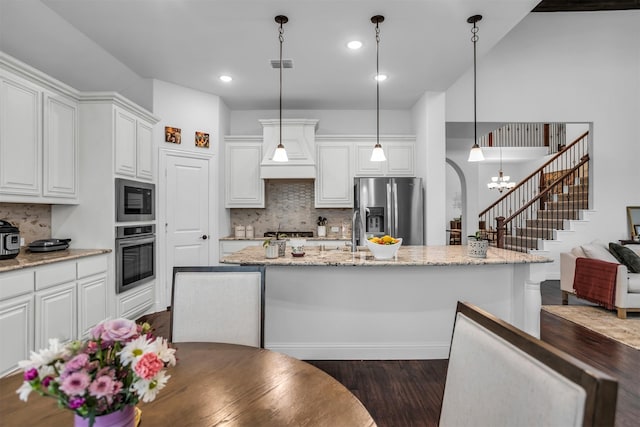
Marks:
<point>400,153</point>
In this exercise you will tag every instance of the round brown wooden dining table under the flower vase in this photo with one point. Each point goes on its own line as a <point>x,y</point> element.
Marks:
<point>219,384</point>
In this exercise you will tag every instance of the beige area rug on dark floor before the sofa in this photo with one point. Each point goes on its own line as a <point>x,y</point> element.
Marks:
<point>602,321</point>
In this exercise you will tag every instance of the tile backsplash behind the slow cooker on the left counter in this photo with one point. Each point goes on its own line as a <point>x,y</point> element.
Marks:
<point>33,220</point>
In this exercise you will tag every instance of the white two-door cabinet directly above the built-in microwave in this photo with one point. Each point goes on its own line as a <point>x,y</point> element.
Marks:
<point>133,145</point>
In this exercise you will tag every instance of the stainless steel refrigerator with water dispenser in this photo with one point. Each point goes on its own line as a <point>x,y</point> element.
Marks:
<point>388,205</point>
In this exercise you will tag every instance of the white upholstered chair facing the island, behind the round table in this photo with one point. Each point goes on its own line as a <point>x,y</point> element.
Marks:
<point>218,304</point>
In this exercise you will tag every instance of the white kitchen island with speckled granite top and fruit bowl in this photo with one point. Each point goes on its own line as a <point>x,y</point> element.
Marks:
<point>342,305</point>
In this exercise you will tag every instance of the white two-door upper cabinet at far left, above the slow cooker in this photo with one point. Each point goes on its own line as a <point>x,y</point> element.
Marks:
<point>38,141</point>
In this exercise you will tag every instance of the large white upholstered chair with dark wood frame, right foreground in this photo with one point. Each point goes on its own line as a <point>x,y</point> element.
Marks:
<point>500,376</point>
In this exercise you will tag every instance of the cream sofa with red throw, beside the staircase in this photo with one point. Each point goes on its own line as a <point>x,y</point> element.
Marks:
<point>627,284</point>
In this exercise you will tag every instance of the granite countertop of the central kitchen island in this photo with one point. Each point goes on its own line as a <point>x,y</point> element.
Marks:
<point>407,256</point>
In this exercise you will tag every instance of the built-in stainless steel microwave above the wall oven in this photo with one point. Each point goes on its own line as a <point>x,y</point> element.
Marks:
<point>135,200</point>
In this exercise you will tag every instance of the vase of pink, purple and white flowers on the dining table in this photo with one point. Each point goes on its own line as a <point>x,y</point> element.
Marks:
<point>101,379</point>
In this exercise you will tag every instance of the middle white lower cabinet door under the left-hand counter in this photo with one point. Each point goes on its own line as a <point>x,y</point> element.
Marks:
<point>56,315</point>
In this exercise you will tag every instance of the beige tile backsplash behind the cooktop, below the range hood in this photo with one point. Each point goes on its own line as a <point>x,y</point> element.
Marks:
<point>289,205</point>
